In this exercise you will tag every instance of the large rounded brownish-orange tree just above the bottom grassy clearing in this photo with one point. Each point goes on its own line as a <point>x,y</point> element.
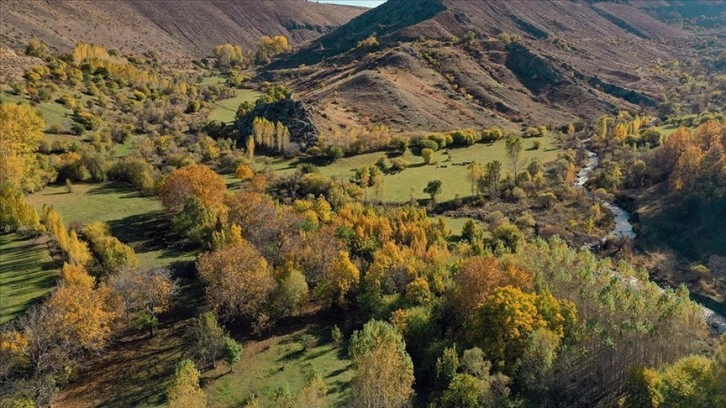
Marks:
<point>239,281</point>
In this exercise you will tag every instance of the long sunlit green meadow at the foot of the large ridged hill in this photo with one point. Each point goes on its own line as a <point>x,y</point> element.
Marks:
<point>400,187</point>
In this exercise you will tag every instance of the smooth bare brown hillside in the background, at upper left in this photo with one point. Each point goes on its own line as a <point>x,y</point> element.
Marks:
<point>168,28</point>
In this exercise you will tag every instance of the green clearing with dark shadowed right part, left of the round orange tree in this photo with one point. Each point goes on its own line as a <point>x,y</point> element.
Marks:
<point>134,219</point>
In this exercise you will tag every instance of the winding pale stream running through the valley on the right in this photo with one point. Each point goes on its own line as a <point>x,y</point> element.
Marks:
<point>624,229</point>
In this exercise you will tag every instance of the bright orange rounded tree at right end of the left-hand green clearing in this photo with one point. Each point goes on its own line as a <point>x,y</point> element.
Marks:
<point>192,181</point>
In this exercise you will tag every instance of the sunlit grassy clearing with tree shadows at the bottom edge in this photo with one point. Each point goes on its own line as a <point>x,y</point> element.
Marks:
<point>281,361</point>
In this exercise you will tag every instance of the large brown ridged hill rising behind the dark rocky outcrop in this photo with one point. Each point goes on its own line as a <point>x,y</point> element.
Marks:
<point>442,64</point>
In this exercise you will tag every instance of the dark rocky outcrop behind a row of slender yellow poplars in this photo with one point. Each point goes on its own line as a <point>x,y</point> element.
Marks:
<point>291,113</point>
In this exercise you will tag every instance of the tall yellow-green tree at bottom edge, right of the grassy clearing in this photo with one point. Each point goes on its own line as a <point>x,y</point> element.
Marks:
<point>383,370</point>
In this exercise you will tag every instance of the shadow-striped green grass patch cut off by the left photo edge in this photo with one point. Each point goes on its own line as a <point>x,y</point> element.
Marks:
<point>27,274</point>
